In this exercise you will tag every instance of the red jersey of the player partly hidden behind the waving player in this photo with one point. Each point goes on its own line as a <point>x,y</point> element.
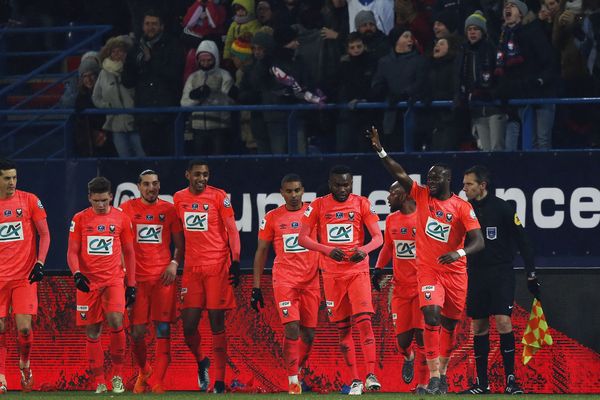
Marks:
<point>399,236</point>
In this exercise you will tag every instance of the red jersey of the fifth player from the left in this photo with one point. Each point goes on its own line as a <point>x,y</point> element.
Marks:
<point>294,266</point>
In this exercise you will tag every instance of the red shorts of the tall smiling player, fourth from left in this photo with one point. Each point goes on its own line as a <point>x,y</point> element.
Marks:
<point>207,288</point>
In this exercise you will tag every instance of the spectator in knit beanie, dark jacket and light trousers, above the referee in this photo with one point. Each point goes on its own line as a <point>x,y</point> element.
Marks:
<point>476,71</point>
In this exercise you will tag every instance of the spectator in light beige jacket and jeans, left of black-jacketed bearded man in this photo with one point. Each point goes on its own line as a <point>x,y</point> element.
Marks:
<point>109,92</point>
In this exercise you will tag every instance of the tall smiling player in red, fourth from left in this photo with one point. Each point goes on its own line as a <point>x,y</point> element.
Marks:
<point>212,266</point>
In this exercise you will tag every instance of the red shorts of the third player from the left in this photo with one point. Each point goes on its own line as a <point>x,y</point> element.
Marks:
<point>154,302</point>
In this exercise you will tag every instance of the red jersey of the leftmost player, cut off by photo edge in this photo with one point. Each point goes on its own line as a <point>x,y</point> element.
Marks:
<point>18,252</point>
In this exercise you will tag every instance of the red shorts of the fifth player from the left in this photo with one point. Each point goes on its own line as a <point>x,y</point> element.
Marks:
<point>296,304</point>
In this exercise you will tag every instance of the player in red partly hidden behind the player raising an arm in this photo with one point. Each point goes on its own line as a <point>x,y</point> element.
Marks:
<point>399,246</point>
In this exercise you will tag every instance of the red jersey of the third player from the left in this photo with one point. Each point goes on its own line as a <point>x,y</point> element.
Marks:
<point>152,227</point>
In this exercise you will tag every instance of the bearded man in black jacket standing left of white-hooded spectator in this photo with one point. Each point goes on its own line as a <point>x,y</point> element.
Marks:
<point>153,68</point>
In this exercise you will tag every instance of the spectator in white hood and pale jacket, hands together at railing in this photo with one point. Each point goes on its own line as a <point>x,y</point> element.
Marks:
<point>209,85</point>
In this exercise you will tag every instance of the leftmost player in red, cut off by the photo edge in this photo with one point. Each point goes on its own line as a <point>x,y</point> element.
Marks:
<point>21,267</point>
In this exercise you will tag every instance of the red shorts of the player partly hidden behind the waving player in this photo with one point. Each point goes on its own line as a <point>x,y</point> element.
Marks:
<point>406,311</point>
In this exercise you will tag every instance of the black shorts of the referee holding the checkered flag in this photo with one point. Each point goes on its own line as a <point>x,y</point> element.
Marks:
<point>491,291</point>
